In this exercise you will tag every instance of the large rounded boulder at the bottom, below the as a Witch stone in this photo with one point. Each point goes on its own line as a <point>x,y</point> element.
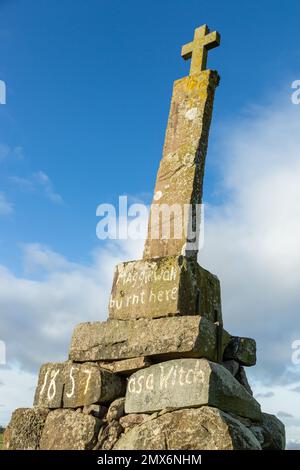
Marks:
<point>202,428</point>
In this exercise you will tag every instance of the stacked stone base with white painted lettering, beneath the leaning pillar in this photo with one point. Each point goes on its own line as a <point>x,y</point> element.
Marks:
<point>150,383</point>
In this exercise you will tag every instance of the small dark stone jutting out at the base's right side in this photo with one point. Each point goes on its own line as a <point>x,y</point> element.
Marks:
<point>243,350</point>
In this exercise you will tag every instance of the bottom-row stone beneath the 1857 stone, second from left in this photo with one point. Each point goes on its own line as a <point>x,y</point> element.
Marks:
<point>68,430</point>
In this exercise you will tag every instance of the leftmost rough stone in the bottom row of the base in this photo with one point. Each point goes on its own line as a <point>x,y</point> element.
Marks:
<point>25,429</point>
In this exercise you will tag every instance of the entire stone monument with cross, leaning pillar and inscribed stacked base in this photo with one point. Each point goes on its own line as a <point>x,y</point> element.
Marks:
<point>161,372</point>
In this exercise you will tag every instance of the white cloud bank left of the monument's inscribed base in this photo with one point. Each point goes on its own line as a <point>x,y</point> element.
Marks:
<point>38,316</point>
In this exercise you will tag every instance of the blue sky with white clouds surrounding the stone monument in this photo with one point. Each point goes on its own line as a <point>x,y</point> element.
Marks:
<point>88,94</point>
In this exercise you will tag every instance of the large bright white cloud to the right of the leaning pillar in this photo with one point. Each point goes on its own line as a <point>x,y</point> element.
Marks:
<point>252,239</point>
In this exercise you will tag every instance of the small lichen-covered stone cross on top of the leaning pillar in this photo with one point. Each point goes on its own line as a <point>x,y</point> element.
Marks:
<point>197,49</point>
